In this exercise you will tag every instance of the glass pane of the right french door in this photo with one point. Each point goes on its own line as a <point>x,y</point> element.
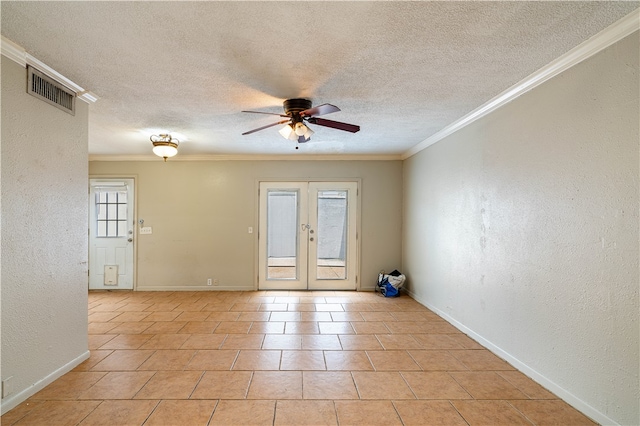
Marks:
<point>332,235</point>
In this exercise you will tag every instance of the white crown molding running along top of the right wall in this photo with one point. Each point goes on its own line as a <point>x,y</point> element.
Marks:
<point>605,38</point>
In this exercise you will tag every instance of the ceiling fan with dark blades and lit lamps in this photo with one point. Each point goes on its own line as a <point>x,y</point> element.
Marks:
<point>297,112</point>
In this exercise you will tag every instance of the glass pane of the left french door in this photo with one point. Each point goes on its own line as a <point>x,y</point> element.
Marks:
<point>282,234</point>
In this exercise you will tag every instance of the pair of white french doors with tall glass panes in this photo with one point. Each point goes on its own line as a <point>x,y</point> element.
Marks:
<point>307,236</point>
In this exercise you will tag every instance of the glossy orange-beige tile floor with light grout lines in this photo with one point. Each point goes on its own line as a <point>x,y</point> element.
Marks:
<point>284,358</point>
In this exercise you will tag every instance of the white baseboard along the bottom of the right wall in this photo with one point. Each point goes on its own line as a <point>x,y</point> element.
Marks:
<point>547,383</point>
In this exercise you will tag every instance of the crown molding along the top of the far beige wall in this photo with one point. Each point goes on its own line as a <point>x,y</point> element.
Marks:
<point>247,157</point>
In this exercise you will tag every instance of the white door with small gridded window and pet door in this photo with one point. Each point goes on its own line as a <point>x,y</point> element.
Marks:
<point>111,233</point>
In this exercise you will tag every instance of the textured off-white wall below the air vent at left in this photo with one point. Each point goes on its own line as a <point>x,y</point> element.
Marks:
<point>44,237</point>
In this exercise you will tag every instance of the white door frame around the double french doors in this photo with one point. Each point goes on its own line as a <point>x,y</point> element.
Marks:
<point>256,224</point>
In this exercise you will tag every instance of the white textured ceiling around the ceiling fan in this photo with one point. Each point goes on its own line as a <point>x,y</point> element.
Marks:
<point>400,70</point>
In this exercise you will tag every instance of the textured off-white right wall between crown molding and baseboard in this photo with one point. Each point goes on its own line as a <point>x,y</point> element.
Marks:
<point>522,229</point>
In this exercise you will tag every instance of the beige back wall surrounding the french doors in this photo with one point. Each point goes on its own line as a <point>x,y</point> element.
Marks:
<point>200,212</point>
